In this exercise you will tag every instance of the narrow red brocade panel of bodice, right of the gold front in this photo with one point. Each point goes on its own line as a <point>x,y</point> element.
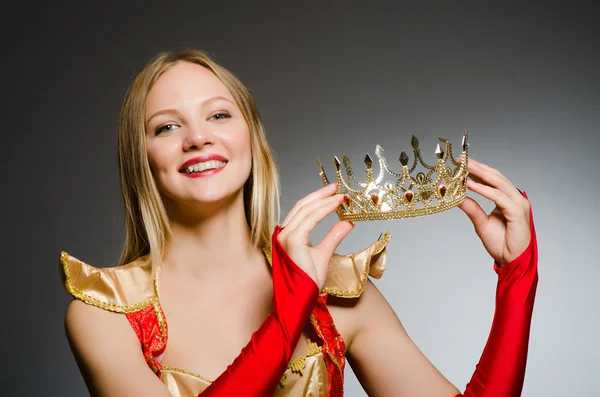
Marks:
<point>334,348</point>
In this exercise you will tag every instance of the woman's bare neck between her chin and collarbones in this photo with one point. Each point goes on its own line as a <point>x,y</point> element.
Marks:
<point>216,242</point>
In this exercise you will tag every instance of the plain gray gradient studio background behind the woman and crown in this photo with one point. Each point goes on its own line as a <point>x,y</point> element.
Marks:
<point>329,78</point>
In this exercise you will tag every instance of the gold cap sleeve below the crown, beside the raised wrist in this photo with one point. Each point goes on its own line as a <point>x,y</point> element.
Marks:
<point>347,275</point>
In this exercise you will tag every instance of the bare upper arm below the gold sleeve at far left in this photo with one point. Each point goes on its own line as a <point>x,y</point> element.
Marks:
<point>108,353</point>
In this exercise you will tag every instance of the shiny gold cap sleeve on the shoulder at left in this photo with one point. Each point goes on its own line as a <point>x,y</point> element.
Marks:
<point>121,289</point>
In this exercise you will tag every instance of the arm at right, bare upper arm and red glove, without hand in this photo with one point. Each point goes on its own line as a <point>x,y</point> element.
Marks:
<point>387,362</point>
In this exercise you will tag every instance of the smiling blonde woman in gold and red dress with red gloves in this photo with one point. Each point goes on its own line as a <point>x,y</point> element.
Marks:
<point>251,311</point>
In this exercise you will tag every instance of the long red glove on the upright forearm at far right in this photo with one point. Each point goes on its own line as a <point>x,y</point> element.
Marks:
<point>501,369</point>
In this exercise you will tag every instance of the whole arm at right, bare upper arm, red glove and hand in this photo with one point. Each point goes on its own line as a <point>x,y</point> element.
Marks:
<point>398,368</point>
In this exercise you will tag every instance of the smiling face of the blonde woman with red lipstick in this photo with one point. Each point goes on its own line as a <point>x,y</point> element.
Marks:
<point>198,142</point>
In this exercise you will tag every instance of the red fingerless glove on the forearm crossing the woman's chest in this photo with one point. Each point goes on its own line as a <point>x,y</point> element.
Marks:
<point>260,365</point>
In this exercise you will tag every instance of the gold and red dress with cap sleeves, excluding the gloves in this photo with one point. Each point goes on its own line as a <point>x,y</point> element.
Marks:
<point>131,289</point>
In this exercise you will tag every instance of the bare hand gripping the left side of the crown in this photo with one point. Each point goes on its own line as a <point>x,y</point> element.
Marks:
<point>301,220</point>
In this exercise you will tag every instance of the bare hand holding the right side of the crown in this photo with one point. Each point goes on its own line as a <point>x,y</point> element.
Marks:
<point>505,232</point>
